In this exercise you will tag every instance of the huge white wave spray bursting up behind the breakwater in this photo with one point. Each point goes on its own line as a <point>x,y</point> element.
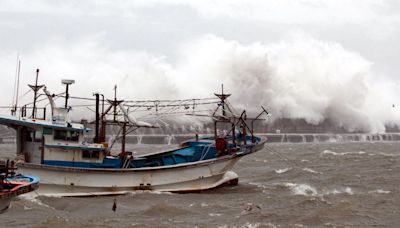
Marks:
<point>297,77</point>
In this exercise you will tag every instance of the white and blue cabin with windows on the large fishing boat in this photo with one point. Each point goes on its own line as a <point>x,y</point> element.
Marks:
<point>49,143</point>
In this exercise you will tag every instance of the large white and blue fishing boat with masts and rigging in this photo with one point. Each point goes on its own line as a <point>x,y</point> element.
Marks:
<point>58,151</point>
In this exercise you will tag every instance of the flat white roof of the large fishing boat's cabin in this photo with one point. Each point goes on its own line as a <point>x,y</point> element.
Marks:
<point>33,123</point>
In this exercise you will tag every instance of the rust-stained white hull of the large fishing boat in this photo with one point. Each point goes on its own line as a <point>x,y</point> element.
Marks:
<point>190,177</point>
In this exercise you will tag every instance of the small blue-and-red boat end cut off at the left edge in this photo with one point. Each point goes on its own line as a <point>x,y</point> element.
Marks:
<point>12,185</point>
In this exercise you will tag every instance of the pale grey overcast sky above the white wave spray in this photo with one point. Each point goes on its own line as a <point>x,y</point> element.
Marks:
<point>368,27</point>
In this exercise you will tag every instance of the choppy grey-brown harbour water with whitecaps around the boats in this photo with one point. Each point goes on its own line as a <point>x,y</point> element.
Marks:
<point>285,185</point>
